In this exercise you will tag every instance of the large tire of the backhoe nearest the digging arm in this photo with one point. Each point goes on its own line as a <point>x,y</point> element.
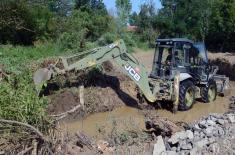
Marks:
<point>186,95</point>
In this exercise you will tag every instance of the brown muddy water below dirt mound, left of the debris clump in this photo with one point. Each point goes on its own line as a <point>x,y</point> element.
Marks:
<point>98,123</point>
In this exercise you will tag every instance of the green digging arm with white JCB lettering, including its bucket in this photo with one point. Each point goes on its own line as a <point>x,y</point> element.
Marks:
<point>114,52</point>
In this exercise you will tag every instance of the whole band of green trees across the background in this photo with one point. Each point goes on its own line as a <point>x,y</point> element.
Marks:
<point>72,23</point>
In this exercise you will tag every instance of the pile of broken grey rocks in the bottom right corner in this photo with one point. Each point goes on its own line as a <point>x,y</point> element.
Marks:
<point>214,134</point>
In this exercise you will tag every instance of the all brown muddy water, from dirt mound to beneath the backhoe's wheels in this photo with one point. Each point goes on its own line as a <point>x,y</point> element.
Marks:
<point>130,117</point>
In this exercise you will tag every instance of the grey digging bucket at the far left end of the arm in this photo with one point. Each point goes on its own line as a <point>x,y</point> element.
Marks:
<point>41,76</point>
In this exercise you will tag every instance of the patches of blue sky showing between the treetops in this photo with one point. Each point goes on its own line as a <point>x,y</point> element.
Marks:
<point>110,4</point>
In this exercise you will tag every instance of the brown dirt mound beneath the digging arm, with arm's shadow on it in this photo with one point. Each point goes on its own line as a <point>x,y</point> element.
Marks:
<point>103,92</point>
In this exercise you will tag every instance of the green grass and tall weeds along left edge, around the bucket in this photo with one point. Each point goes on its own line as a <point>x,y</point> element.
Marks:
<point>19,100</point>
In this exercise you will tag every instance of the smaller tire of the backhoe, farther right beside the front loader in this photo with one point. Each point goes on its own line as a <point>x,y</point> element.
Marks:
<point>209,92</point>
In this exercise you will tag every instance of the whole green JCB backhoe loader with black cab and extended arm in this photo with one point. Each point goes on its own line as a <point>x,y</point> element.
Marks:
<point>180,71</point>
